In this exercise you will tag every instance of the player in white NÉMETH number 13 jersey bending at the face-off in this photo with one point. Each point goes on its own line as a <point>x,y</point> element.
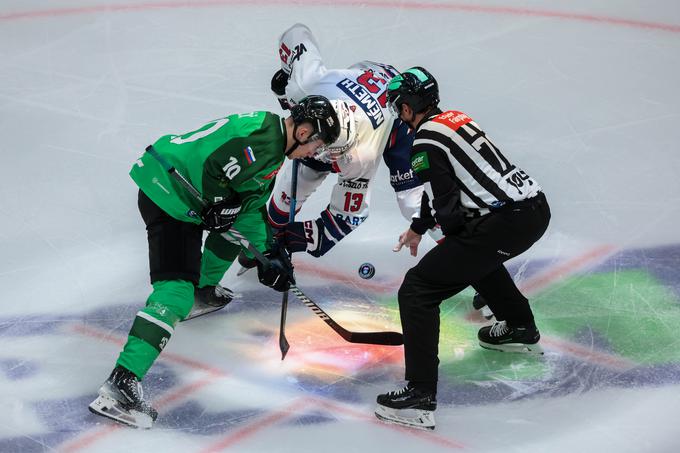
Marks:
<point>369,131</point>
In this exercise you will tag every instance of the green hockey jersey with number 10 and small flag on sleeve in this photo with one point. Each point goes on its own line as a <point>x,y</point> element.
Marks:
<point>236,155</point>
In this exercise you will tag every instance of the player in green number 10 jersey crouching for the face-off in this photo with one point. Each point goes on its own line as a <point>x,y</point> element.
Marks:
<point>232,162</point>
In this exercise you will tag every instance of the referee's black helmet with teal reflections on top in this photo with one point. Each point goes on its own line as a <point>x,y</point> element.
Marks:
<point>415,87</point>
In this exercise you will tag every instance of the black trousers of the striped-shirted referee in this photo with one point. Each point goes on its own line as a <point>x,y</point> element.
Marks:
<point>474,256</point>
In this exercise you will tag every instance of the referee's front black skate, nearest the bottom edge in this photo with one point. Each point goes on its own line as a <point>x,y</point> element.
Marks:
<point>409,406</point>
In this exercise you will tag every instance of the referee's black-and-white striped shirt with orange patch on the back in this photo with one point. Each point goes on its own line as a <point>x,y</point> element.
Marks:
<point>464,173</point>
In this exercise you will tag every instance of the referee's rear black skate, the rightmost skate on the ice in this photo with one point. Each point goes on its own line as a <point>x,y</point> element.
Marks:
<point>502,337</point>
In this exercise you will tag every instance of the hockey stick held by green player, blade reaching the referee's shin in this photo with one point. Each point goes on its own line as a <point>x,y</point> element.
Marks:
<point>381,338</point>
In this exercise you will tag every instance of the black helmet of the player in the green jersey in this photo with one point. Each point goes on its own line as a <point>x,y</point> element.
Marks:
<point>318,111</point>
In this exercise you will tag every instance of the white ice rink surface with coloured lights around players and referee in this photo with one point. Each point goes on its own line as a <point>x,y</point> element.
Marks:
<point>582,94</point>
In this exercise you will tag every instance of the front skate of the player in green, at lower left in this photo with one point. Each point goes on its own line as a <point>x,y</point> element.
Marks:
<point>121,399</point>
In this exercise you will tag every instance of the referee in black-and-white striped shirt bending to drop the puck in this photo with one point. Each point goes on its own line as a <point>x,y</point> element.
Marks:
<point>489,210</point>
